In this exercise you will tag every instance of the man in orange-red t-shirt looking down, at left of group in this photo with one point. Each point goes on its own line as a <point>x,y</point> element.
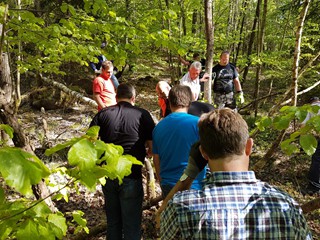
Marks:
<point>104,91</point>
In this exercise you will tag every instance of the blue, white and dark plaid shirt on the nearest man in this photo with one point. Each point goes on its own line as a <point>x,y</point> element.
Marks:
<point>233,205</point>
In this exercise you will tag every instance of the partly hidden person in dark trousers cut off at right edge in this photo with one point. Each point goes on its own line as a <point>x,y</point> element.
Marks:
<point>314,170</point>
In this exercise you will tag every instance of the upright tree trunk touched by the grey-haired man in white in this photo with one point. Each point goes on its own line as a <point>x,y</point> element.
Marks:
<point>210,43</point>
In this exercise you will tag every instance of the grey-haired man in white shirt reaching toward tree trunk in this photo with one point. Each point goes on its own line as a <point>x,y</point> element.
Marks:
<point>191,79</point>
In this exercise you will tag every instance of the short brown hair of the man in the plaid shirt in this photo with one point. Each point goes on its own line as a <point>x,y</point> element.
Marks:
<point>223,132</point>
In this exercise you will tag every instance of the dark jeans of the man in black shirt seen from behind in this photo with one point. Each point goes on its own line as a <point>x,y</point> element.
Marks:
<point>123,205</point>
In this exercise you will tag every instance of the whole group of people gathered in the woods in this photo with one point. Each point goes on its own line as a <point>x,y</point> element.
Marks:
<point>201,160</point>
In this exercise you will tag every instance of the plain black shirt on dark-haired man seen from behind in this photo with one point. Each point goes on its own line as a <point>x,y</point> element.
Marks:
<point>128,126</point>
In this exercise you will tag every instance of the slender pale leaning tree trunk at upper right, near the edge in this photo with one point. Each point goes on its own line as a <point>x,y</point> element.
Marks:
<point>295,69</point>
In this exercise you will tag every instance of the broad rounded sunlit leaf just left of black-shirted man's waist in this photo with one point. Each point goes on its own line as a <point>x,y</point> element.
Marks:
<point>83,154</point>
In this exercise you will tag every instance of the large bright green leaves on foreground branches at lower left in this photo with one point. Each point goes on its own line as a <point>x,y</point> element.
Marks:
<point>90,161</point>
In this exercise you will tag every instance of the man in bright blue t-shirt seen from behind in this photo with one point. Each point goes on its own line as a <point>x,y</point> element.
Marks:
<point>172,140</point>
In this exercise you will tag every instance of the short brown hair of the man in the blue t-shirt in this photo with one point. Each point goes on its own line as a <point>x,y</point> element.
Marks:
<point>180,96</point>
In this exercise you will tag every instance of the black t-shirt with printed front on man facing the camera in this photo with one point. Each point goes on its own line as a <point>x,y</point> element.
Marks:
<point>223,78</point>
